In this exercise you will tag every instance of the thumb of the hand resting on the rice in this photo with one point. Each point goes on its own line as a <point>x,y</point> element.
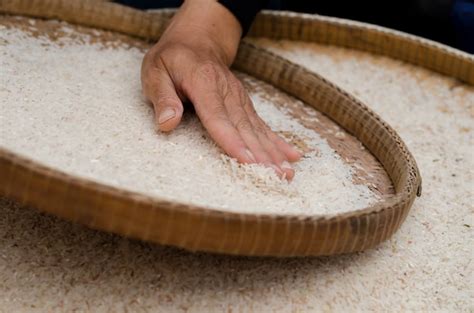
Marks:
<point>159,89</point>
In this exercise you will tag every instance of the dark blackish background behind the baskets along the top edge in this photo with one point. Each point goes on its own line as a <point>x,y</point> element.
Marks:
<point>448,21</point>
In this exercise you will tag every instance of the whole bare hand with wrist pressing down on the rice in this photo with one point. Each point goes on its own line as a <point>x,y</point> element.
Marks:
<point>191,62</point>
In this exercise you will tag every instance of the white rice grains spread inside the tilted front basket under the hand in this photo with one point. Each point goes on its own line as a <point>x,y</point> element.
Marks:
<point>74,103</point>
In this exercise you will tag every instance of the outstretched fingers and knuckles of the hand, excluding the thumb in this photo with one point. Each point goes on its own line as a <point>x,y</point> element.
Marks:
<point>227,113</point>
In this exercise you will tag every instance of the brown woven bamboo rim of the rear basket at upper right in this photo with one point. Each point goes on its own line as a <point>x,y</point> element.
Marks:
<point>365,37</point>
